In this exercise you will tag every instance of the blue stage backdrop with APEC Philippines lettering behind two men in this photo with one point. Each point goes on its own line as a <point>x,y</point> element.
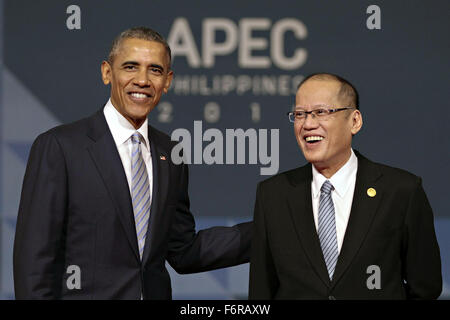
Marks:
<point>237,65</point>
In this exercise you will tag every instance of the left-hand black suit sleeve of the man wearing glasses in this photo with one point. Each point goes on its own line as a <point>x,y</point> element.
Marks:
<point>263,279</point>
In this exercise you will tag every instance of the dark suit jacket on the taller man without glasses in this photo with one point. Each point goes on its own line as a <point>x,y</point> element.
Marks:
<point>76,209</point>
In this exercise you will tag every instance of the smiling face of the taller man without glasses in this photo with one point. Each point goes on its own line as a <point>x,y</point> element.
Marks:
<point>139,73</point>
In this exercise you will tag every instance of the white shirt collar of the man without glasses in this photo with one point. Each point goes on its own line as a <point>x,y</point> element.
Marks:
<point>121,128</point>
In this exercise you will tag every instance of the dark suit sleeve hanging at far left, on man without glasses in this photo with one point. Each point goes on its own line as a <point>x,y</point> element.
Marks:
<point>38,240</point>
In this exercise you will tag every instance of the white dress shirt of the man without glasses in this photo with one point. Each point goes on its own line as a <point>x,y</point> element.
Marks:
<point>122,130</point>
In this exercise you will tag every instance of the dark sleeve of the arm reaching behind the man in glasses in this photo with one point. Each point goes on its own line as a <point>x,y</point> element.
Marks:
<point>209,249</point>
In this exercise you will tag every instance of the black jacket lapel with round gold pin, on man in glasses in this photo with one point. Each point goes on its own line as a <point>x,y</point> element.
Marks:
<point>362,213</point>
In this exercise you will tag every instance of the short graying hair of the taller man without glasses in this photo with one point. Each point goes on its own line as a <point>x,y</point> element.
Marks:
<point>143,33</point>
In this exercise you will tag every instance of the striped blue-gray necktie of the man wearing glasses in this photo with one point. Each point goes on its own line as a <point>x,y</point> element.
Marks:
<point>327,228</point>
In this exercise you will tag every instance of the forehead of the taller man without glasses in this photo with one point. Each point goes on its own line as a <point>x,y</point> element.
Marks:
<point>142,51</point>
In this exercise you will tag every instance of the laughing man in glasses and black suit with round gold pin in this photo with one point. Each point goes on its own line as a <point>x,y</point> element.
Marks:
<point>342,226</point>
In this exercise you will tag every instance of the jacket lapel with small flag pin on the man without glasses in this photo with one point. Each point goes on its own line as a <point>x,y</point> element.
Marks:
<point>160,163</point>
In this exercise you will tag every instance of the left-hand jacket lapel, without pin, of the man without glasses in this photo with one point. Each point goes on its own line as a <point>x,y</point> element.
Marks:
<point>107,160</point>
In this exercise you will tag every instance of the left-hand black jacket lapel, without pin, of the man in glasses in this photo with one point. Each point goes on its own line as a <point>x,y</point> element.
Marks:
<point>300,205</point>
